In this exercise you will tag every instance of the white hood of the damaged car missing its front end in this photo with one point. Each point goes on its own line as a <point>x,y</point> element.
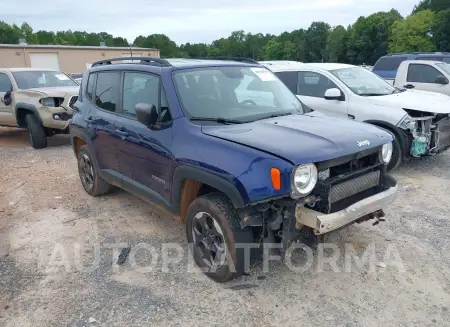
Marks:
<point>416,100</point>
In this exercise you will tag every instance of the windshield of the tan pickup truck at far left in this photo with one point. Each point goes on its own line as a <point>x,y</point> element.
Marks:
<point>38,79</point>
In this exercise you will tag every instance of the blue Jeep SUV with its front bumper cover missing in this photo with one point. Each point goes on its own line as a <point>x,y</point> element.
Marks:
<point>225,146</point>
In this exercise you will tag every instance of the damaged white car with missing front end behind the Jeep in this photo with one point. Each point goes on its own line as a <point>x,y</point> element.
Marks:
<point>419,120</point>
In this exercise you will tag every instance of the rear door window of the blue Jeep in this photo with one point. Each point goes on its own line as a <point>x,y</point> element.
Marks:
<point>107,90</point>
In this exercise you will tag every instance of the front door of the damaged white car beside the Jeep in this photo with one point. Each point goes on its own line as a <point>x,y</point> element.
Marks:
<point>311,91</point>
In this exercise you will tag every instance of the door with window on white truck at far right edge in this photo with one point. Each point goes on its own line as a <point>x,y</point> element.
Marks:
<point>423,77</point>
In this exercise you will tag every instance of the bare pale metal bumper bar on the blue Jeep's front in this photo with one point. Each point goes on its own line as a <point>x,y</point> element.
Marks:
<point>325,223</point>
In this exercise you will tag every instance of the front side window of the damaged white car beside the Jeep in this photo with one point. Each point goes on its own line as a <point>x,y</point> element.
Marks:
<point>313,84</point>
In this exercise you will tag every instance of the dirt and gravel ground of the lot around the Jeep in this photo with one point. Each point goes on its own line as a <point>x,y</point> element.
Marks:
<point>50,228</point>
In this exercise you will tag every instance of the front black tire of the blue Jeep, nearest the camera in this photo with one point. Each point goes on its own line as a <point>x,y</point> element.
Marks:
<point>220,209</point>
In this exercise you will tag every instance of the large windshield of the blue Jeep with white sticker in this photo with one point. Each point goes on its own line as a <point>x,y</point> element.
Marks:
<point>238,93</point>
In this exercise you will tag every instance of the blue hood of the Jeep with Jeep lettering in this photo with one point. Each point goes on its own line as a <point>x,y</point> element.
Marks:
<point>304,138</point>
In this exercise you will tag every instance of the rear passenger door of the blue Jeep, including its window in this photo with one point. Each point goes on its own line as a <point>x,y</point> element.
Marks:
<point>103,94</point>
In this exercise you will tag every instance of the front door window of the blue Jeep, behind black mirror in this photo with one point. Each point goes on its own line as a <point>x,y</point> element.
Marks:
<point>139,88</point>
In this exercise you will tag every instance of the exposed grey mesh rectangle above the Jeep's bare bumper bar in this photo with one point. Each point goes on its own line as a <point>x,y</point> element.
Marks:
<point>354,186</point>
